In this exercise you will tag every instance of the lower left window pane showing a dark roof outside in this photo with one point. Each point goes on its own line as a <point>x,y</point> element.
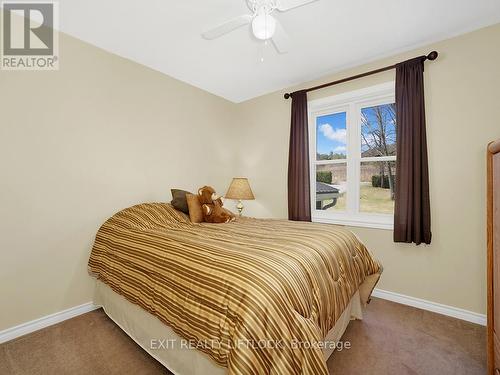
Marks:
<point>331,187</point>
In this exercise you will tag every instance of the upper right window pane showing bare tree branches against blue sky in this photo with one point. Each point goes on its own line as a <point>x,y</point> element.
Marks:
<point>378,131</point>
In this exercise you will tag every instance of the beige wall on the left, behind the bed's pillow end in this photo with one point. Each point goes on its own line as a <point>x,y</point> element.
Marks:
<point>77,145</point>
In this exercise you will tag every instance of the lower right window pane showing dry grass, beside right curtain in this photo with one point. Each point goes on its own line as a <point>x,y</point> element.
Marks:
<point>378,181</point>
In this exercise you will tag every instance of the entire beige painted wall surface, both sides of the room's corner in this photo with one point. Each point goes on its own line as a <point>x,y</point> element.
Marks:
<point>103,133</point>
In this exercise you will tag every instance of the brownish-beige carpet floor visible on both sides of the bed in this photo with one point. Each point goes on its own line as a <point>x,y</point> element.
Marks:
<point>392,339</point>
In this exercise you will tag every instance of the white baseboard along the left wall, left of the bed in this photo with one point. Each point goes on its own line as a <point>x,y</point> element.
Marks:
<point>28,327</point>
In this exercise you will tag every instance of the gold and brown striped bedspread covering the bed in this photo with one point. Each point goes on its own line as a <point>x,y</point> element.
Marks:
<point>258,295</point>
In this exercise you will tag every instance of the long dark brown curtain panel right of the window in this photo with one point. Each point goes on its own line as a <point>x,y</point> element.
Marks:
<point>412,216</point>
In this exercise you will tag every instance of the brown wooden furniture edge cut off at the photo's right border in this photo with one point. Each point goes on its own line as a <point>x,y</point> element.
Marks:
<point>493,148</point>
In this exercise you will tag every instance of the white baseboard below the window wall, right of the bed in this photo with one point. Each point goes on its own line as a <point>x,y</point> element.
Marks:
<point>439,308</point>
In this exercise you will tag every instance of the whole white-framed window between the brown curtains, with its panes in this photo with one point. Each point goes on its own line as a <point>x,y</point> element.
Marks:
<point>353,157</point>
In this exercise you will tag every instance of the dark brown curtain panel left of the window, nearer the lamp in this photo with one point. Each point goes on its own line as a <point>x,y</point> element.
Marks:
<point>299,200</point>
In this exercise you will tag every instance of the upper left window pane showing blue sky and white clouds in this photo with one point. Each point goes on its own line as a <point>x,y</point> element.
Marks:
<point>331,136</point>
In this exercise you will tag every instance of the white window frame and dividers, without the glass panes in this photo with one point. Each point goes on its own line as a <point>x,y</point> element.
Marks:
<point>351,103</point>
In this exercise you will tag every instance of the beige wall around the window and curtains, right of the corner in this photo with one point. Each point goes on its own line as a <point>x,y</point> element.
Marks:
<point>463,115</point>
